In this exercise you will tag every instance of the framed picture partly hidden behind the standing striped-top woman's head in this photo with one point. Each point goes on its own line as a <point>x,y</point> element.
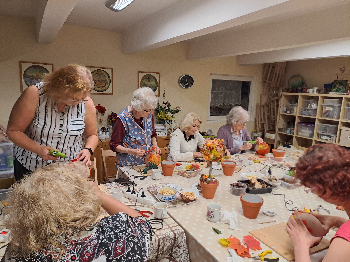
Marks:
<point>103,78</point>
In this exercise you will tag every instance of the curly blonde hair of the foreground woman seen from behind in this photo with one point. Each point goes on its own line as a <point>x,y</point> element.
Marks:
<point>49,207</point>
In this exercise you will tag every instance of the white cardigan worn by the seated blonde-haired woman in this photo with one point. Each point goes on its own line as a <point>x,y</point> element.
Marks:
<point>182,150</point>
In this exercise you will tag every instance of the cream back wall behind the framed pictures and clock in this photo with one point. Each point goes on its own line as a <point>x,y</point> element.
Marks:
<point>102,48</point>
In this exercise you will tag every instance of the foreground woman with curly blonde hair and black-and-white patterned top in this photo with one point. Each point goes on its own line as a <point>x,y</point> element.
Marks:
<point>54,217</point>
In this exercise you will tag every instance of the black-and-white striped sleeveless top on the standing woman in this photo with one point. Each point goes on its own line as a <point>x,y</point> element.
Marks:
<point>63,131</point>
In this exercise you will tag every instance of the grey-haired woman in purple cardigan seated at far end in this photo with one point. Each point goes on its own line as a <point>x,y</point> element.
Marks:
<point>235,133</point>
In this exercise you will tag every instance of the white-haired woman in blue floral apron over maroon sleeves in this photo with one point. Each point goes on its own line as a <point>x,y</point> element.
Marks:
<point>134,133</point>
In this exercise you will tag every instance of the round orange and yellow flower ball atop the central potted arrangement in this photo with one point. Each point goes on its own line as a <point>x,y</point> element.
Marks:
<point>214,150</point>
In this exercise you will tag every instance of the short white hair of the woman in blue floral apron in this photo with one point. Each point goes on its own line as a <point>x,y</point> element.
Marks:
<point>144,98</point>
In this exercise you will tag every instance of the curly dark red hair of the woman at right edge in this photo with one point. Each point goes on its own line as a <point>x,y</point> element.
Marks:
<point>326,166</point>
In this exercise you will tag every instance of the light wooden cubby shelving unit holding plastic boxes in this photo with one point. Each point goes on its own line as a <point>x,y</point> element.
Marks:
<point>293,117</point>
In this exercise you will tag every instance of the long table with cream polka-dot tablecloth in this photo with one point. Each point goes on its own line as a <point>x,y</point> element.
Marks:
<point>202,241</point>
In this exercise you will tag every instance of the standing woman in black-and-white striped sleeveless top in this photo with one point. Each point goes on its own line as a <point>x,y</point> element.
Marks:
<point>56,113</point>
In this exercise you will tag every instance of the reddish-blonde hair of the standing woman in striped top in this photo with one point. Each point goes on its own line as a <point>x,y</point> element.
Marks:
<point>68,80</point>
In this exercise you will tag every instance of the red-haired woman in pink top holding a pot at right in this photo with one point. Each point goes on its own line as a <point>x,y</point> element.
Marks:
<point>325,169</point>
